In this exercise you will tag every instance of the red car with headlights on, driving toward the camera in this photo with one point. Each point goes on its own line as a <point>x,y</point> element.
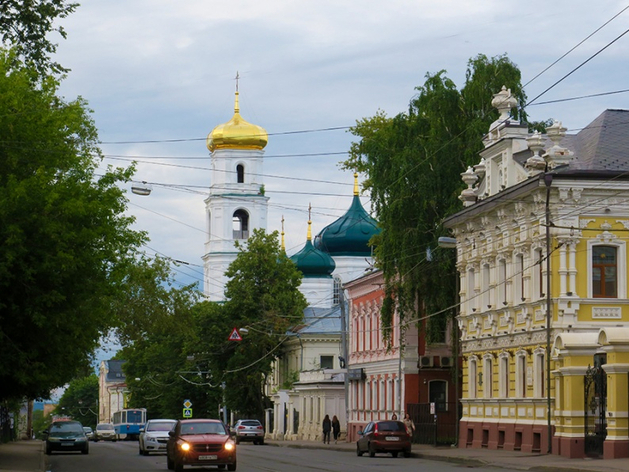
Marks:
<point>200,442</point>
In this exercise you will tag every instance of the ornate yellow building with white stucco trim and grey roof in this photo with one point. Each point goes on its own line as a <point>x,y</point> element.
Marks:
<point>517,272</point>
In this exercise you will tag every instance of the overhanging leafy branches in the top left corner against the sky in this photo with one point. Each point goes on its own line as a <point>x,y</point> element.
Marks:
<point>25,24</point>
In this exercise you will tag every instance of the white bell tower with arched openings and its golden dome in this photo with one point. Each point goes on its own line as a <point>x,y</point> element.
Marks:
<point>236,204</point>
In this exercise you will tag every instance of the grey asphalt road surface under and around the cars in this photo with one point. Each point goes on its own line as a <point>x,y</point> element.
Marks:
<point>122,456</point>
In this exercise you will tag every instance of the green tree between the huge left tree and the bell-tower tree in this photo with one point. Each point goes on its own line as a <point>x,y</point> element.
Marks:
<point>156,324</point>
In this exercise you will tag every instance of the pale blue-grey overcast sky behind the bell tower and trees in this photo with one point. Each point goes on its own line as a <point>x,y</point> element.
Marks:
<point>159,76</point>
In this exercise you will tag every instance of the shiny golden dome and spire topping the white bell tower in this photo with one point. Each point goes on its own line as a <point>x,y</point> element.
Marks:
<point>237,134</point>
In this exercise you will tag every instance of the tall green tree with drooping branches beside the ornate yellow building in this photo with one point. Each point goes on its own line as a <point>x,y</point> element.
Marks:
<point>413,163</point>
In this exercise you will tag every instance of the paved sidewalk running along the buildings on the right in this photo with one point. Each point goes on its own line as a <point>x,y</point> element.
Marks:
<point>485,457</point>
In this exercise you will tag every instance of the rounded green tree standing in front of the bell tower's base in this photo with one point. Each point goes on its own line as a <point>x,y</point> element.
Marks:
<point>263,296</point>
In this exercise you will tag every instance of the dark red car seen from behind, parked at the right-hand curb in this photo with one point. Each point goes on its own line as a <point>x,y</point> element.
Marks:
<point>384,436</point>
